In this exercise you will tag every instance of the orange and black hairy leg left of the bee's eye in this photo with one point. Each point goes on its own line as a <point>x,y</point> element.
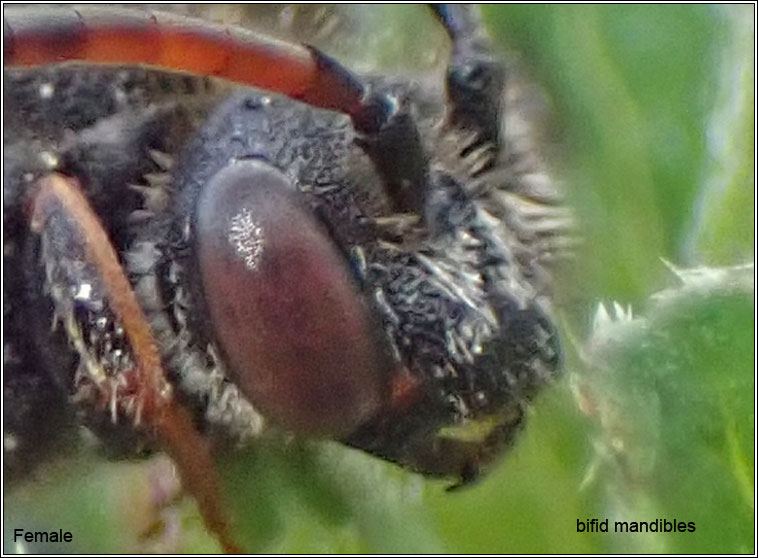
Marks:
<point>119,371</point>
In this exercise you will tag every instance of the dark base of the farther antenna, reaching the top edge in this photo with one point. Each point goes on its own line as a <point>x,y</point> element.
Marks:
<point>475,78</point>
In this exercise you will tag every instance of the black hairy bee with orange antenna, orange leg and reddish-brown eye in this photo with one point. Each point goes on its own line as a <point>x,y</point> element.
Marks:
<point>209,233</point>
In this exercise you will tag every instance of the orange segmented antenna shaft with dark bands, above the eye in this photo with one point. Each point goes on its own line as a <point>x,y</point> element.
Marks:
<point>100,35</point>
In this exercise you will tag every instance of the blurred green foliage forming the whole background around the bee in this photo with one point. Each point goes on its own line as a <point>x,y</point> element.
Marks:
<point>651,132</point>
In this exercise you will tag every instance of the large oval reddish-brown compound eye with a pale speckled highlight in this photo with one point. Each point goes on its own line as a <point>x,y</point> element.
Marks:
<point>295,332</point>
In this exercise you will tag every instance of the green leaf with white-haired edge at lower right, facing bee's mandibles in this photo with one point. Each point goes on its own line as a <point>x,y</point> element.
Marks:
<point>672,395</point>
